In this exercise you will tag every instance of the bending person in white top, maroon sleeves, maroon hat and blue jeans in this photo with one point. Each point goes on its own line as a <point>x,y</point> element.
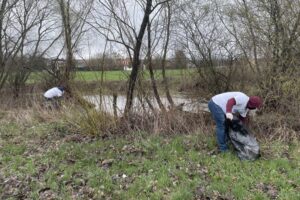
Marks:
<point>223,106</point>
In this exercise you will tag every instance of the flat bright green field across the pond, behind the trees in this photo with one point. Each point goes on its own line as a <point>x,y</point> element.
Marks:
<point>113,75</point>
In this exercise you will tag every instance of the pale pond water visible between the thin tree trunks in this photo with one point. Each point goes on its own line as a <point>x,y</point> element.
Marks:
<point>188,104</point>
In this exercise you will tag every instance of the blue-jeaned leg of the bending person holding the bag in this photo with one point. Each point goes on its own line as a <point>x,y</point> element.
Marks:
<point>219,118</point>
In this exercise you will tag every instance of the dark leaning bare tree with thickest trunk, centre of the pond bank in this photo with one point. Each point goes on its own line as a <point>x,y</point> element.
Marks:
<point>126,31</point>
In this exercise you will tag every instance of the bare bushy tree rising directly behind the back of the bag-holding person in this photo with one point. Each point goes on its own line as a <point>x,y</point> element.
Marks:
<point>203,39</point>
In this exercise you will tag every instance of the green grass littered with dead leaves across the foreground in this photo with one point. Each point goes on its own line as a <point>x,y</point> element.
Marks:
<point>45,159</point>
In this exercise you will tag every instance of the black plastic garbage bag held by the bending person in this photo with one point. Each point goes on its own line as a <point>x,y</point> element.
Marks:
<point>244,142</point>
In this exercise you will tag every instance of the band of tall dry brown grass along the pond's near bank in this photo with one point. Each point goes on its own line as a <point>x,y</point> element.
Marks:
<point>83,118</point>
